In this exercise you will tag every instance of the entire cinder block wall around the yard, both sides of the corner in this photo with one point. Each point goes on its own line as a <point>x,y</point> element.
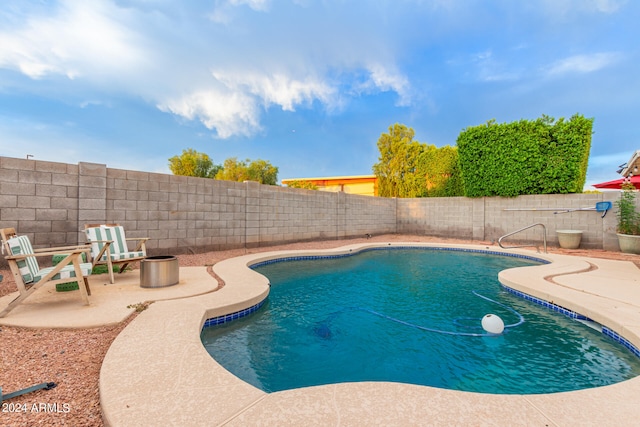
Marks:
<point>50,202</point>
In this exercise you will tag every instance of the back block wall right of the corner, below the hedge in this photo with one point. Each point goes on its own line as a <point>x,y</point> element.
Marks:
<point>490,218</point>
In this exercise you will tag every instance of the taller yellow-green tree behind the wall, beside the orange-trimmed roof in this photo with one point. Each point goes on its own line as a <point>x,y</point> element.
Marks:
<point>396,169</point>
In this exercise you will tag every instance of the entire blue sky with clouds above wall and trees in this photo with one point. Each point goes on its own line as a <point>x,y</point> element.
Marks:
<point>307,85</point>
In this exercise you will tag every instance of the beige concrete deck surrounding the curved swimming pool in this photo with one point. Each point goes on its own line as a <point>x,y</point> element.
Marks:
<point>157,372</point>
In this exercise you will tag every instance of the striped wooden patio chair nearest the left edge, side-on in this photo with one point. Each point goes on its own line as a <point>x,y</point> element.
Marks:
<point>28,274</point>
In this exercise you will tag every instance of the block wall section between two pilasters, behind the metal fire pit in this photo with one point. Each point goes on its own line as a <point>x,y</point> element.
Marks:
<point>179,214</point>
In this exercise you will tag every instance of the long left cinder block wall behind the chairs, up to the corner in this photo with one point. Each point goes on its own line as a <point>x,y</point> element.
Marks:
<point>51,202</point>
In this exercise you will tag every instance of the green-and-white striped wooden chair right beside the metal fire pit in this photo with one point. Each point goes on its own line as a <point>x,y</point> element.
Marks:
<point>109,246</point>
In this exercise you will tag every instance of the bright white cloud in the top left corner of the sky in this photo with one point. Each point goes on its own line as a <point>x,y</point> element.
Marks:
<point>80,39</point>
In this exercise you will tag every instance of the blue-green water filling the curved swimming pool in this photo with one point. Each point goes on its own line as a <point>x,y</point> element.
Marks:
<point>373,317</point>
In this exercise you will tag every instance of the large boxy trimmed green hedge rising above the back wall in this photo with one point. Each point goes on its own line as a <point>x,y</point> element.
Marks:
<point>525,157</point>
